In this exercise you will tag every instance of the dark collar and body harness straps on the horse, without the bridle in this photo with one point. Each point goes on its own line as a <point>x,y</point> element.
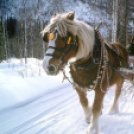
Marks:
<point>94,61</point>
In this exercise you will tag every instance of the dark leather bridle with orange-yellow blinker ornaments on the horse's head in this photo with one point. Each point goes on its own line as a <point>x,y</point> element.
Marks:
<point>68,40</point>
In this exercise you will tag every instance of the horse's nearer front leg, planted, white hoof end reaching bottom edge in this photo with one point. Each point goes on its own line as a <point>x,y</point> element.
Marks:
<point>96,109</point>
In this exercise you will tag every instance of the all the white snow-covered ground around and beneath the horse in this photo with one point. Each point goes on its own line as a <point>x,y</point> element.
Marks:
<point>44,105</point>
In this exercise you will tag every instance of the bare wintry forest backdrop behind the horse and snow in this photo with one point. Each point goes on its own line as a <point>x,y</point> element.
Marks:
<point>22,21</point>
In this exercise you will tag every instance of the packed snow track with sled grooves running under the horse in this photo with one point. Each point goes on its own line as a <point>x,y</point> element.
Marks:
<point>59,112</point>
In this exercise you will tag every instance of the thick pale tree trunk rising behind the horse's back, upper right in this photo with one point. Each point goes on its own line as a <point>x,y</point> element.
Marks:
<point>115,20</point>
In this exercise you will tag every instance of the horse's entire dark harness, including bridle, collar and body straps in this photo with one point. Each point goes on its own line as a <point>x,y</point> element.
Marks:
<point>92,62</point>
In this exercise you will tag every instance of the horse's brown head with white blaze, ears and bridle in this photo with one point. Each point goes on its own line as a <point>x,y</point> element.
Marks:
<point>62,45</point>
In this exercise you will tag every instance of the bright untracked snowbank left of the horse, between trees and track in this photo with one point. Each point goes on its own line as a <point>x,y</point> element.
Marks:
<point>14,87</point>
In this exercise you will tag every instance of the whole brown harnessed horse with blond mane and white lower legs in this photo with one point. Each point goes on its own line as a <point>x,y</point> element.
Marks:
<point>94,63</point>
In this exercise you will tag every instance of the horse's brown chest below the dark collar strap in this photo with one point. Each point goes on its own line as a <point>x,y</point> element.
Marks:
<point>84,78</point>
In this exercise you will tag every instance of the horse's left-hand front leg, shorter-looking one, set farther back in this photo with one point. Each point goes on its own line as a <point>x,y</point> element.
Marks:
<point>85,104</point>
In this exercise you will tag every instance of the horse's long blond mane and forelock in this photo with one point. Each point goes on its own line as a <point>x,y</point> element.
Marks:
<point>84,32</point>
